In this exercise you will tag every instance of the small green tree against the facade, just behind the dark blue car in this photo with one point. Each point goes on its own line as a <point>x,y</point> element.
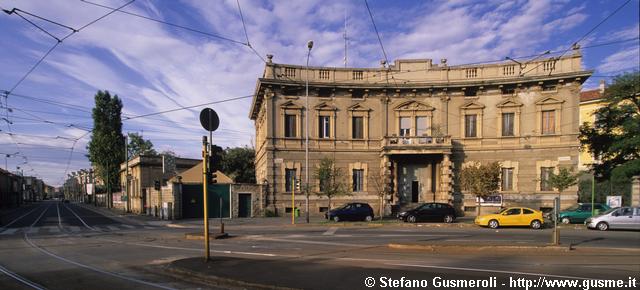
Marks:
<point>331,180</point>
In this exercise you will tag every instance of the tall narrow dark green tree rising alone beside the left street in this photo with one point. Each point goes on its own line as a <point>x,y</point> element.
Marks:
<point>106,147</point>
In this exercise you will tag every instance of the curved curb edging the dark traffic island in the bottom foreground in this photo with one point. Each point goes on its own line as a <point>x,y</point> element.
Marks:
<point>209,280</point>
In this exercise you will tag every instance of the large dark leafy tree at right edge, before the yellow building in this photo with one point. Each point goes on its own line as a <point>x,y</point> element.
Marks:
<point>614,138</point>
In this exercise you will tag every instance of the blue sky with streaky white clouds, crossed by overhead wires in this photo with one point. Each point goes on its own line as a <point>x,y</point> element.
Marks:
<point>155,67</point>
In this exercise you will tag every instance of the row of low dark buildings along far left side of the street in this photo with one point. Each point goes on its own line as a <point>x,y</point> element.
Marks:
<point>16,189</point>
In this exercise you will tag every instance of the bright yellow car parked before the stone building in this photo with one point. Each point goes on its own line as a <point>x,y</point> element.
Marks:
<point>512,216</point>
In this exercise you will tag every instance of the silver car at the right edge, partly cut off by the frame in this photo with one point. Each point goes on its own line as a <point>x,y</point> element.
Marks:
<point>616,218</point>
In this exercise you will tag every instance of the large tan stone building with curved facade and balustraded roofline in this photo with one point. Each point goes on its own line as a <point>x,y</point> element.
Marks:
<point>411,126</point>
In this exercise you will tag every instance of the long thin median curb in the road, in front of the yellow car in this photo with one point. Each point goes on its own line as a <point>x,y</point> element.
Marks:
<point>434,248</point>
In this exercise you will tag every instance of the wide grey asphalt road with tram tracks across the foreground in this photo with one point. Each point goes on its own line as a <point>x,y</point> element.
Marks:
<point>51,245</point>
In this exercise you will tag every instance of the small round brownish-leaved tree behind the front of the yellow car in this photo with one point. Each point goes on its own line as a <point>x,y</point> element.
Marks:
<point>482,180</point>
